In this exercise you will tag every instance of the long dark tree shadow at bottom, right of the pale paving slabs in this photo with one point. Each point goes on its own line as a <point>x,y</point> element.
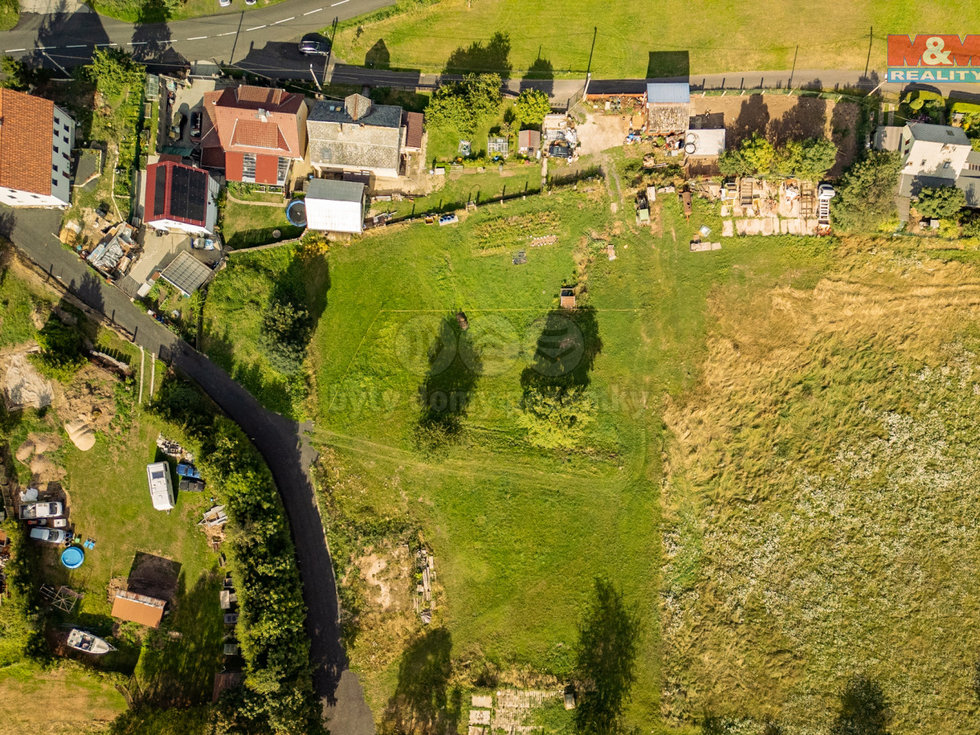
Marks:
<point>606,660</point>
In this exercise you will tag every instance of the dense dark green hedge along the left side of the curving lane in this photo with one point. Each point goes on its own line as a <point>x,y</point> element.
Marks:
<point>278,695</point>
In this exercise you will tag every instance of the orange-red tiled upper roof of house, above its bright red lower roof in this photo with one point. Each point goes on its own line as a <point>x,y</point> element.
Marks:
<point>253,120</point>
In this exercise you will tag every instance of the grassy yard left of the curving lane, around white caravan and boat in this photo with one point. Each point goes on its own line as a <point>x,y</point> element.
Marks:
<point>104,490</point>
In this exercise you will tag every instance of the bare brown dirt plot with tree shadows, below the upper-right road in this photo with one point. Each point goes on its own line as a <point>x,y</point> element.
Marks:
<point>782,117</point>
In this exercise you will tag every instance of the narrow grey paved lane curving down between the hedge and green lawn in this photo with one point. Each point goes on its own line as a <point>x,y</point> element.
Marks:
<point>281,442</point>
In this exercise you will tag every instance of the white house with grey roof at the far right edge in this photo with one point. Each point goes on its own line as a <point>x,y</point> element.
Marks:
<point>936,156</point>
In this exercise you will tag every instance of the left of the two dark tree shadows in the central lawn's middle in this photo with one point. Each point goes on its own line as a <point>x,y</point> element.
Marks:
<point>455,366</point>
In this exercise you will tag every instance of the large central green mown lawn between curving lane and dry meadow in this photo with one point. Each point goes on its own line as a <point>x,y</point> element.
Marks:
<point>519,533</point>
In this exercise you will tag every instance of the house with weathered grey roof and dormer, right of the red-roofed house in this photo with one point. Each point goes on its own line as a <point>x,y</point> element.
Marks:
<point>356,135</point>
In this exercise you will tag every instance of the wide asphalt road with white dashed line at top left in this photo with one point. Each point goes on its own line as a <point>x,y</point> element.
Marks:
<point>262,40</point>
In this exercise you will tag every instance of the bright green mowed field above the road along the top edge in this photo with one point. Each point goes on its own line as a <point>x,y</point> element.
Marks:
<point>717,35</point>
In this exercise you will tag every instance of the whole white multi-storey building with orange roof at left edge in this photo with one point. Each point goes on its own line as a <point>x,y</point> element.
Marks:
<point>36,140</point>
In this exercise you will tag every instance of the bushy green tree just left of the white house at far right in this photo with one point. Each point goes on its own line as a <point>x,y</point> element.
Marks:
<point>866,194</point>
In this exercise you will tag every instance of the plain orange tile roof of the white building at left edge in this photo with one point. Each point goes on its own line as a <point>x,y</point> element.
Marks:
<point>25,142</point>
